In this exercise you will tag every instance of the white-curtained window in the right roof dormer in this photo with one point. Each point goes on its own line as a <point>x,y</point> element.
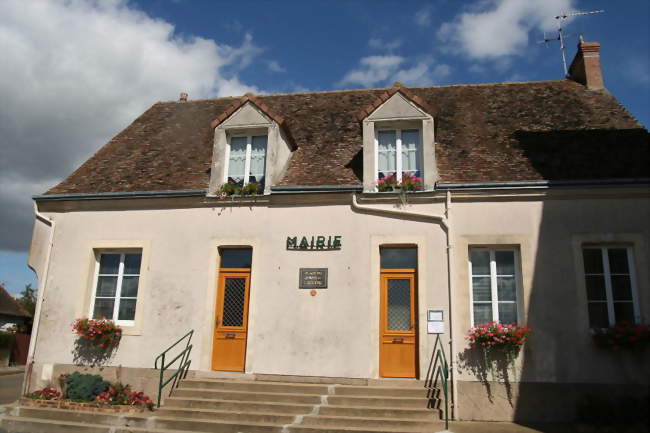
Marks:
<point>398,153</point>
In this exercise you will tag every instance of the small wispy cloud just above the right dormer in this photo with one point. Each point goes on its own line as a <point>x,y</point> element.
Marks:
<point>384,70</point>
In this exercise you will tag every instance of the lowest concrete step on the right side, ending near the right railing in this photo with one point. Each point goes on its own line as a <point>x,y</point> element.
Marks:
<point>374,422</point>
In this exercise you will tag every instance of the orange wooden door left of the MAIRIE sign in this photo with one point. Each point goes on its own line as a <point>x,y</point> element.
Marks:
<point>231,321</point>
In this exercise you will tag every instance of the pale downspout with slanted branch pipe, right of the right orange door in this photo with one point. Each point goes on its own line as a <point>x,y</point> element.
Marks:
<point>445,223</point>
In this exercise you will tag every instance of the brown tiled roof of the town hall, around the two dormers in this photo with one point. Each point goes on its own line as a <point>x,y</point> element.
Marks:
<point>530,131</point>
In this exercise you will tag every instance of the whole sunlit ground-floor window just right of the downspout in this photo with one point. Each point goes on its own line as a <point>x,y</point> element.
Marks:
<point>494,275</point>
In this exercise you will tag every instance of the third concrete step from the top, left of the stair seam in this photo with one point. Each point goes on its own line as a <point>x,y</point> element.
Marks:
<point>237,406</point>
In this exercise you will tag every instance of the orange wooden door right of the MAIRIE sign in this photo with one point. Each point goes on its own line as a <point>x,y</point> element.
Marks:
<point>398,339</point>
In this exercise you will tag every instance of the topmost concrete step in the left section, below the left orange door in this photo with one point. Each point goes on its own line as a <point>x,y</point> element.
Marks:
<point>254,386</point>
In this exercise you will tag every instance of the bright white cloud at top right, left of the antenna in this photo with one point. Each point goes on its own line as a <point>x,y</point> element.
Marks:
<point>496,28</point>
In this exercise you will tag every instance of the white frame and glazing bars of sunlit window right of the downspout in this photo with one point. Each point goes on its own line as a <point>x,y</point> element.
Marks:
<point>494,293</point>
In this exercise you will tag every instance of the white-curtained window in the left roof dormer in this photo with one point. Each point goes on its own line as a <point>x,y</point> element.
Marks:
<point>246,159</point>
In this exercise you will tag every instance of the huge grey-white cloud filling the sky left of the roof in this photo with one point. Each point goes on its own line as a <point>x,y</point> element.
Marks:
<point>75,73</point>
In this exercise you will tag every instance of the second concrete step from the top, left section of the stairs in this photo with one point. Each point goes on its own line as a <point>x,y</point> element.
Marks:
<point>250,396</point>
